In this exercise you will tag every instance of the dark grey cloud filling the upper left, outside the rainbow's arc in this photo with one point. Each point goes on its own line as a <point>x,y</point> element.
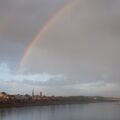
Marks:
<point>20,21</point>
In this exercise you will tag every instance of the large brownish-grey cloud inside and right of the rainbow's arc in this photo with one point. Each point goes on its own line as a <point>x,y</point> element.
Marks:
<point>83,45</point>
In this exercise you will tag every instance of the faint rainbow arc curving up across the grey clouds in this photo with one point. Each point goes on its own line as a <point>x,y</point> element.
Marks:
<point>60,12</point>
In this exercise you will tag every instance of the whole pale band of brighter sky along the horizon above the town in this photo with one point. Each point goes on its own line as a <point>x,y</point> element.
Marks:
<point>13,81</point>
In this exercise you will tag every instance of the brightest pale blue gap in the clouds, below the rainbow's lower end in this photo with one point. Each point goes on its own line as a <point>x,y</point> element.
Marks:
<point>9,75</point>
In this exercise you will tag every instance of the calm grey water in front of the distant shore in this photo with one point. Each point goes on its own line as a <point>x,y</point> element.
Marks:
<point>92,111</point>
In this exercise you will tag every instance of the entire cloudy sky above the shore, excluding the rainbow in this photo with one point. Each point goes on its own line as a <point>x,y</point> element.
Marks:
<point>77,55</point>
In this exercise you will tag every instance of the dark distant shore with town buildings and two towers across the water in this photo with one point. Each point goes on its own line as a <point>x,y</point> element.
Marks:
<point>21,100</point>
